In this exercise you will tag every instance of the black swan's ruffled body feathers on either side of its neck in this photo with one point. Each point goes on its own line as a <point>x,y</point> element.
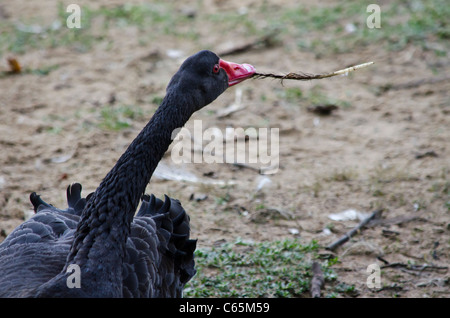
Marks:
<point>147,246</point>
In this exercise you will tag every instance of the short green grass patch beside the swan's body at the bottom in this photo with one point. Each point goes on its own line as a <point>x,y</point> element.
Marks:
<point>267,269</point>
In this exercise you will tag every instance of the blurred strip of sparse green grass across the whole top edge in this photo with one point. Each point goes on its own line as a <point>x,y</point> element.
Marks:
<point>322,29</point>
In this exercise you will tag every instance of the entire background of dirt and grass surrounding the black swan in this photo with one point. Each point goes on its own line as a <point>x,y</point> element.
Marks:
<point>72,99</point>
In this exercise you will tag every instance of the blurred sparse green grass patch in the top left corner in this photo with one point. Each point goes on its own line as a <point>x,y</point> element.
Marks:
<point>160,18</point>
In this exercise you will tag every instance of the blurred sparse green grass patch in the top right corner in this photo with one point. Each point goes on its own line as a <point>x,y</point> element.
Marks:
<point>324,29</point>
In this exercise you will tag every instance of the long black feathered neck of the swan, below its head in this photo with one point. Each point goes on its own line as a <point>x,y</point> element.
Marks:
<point>100,240</point>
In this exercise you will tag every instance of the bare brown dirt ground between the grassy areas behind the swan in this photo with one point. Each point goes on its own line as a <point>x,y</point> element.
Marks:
<point>380,149</point>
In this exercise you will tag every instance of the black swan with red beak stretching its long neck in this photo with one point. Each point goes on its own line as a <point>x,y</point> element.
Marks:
<point>118,253</point>
